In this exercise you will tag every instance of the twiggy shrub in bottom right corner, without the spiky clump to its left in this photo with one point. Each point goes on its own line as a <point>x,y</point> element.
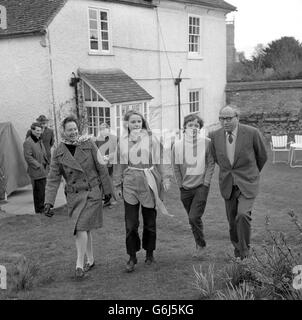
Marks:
<point>268,271</point>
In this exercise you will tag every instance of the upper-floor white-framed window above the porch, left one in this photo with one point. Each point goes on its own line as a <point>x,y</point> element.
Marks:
<point>99,32</point>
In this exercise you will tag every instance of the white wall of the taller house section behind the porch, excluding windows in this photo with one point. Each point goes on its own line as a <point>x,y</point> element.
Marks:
<point>149,45</point>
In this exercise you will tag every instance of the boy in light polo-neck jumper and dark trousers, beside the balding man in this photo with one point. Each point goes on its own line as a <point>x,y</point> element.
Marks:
<point>193,167</point>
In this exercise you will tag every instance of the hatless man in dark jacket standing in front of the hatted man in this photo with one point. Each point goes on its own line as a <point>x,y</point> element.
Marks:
<point>37,161</point>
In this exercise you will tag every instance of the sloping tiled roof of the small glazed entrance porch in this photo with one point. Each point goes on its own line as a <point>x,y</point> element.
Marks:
<point>114,85</point>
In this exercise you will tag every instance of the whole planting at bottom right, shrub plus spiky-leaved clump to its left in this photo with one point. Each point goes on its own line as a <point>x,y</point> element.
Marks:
<point>266,274</point>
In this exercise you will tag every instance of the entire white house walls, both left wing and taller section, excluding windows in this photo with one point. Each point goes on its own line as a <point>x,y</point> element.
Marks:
<point>150,45</point>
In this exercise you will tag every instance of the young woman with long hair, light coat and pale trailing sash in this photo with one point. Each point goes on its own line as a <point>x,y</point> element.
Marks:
<point>140,176</point>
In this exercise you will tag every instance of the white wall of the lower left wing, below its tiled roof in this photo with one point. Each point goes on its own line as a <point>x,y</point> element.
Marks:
<point>24,82</point>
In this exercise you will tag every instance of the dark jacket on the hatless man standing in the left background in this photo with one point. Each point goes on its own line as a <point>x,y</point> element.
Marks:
<point>36,158</point>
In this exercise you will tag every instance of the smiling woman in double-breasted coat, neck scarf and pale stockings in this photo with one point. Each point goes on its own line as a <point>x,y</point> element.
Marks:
<point>86,179</point>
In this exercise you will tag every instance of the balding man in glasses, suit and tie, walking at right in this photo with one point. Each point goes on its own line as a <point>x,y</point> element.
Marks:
<point>240,153</point>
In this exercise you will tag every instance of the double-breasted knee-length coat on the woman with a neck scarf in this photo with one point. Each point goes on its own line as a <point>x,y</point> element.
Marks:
<point>86,180</point>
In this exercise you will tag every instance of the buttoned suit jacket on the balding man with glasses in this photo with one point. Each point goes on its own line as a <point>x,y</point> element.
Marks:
<point>249,159</point>
